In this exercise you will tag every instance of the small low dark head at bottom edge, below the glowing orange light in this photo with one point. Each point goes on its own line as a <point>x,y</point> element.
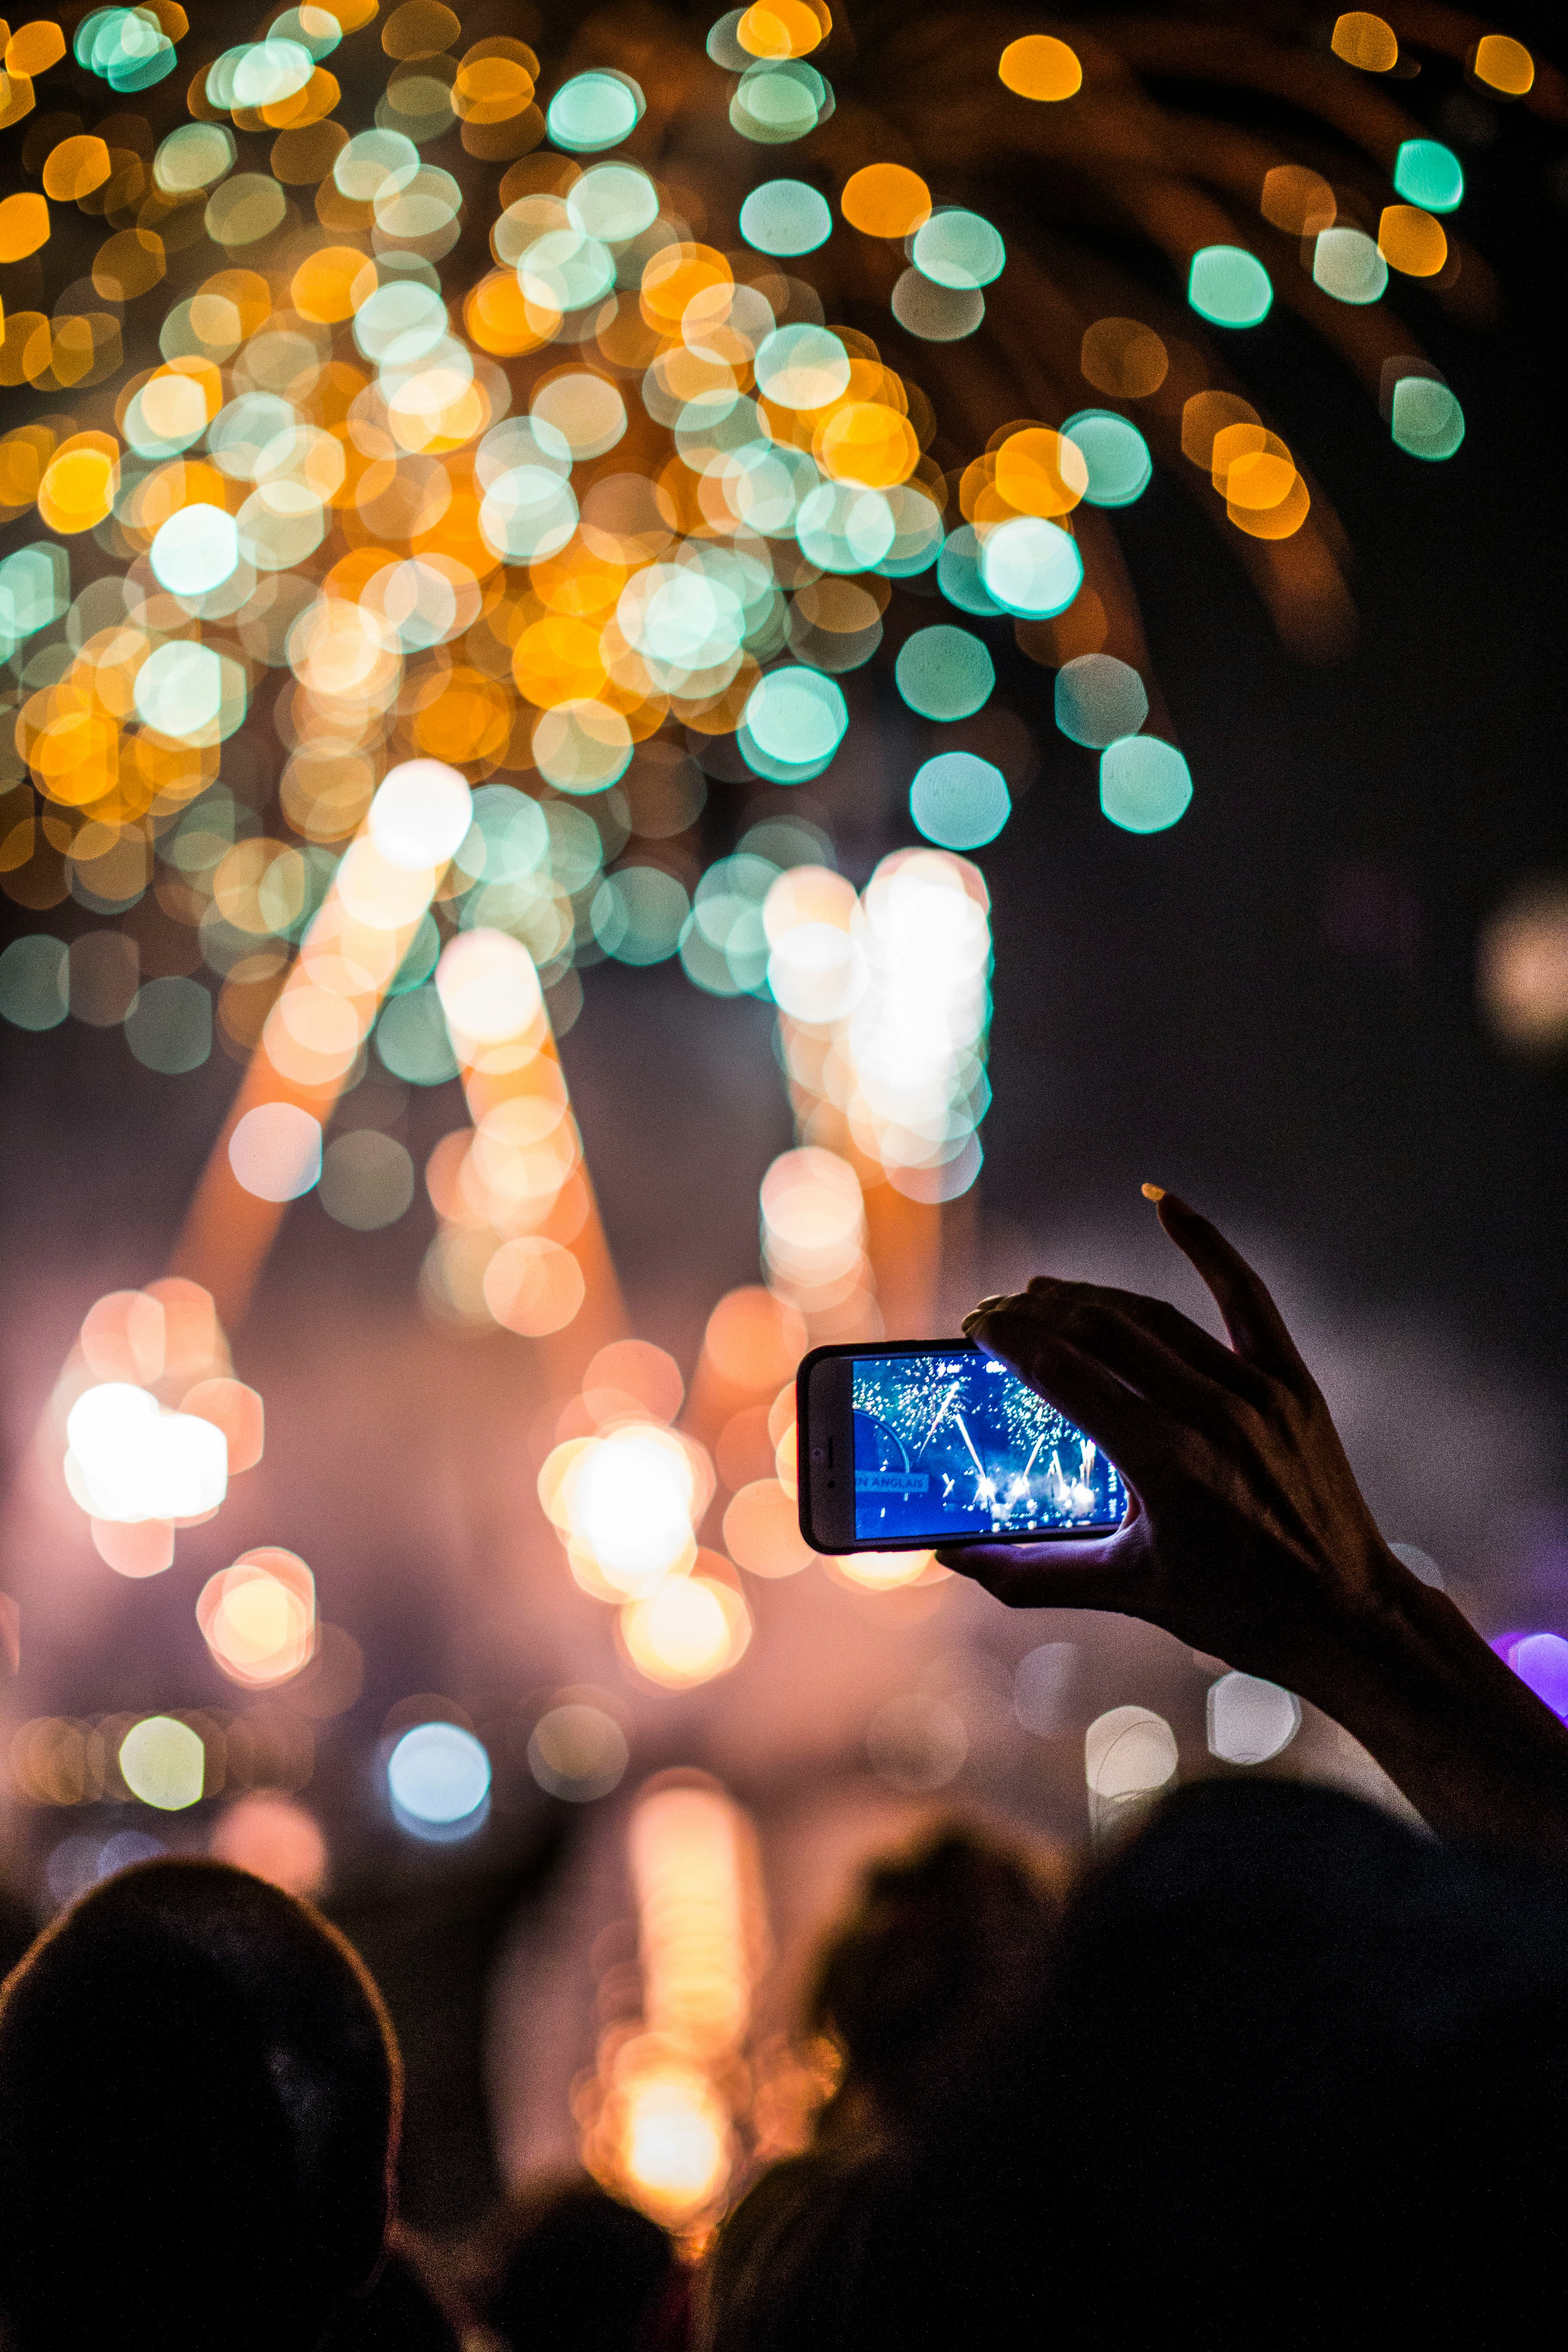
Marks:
<point>563,2264</point>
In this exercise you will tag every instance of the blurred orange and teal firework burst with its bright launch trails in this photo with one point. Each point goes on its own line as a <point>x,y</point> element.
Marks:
<point>462,474</point>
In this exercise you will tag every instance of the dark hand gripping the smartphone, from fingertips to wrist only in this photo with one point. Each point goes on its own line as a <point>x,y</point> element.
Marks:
<point>1247,1532</point>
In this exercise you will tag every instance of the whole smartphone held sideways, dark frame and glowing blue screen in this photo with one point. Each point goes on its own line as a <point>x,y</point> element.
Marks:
<point>939,1443</point>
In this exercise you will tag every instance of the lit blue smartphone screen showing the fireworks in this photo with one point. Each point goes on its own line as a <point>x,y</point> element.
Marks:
<point>958,1445</point>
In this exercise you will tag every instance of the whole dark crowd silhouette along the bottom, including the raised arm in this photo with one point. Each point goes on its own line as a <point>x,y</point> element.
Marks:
<point>1268,2069</point>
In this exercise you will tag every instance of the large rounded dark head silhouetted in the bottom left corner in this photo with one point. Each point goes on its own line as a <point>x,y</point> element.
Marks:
<point>199,2116</point>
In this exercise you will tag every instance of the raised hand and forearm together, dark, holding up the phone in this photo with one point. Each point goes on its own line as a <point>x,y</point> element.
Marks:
<point>1249,1537</point>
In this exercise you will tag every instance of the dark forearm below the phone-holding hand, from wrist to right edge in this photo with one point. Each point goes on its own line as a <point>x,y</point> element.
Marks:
<point>1461,1737</point>
